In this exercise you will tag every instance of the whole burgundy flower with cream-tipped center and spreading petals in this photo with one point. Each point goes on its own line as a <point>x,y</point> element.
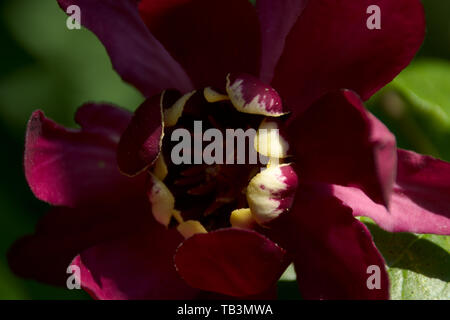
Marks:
<point>242,228</point>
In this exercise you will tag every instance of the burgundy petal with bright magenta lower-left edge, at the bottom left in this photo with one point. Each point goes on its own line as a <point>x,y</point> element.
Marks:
<point>135,267</point>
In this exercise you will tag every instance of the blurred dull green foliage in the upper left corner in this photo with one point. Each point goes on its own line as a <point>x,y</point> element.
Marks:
<point>61,68</point>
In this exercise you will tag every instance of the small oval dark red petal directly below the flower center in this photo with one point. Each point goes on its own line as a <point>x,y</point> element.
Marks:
<point>231,261</point>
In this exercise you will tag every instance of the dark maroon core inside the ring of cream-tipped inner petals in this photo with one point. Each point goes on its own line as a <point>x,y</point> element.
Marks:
<point>209,192</point>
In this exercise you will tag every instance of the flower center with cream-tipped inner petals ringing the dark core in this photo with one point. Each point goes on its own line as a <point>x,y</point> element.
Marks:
<point>209,173</point>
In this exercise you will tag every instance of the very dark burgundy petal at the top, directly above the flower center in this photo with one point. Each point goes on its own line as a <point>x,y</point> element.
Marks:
<point>209,38</point>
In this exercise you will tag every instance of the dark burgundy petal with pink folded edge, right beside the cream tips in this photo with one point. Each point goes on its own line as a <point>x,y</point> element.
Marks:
<point>339,142</point>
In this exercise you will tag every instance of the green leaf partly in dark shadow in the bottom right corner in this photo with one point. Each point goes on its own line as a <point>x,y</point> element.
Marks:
<point>418,265</point>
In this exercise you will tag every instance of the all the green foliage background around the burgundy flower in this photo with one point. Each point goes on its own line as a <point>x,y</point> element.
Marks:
<point>43,65</point>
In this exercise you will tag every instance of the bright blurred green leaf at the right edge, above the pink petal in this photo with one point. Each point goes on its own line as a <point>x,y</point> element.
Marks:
<point>416,107</point>
